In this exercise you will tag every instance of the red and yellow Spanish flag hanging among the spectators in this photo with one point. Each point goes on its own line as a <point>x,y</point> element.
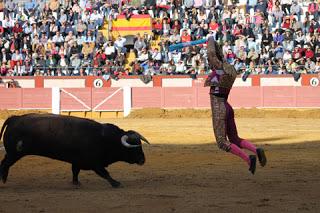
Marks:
<point>136,24</point>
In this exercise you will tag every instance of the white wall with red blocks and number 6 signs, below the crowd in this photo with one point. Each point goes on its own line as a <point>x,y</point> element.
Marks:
<point>157,81</point>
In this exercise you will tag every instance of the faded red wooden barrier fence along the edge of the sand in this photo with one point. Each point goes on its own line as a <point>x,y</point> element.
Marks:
<point>159,97</point>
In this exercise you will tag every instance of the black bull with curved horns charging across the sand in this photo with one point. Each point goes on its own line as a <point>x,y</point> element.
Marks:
<point>86,144</point>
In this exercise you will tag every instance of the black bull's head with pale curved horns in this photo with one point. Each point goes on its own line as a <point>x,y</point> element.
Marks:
<point>132,141</point>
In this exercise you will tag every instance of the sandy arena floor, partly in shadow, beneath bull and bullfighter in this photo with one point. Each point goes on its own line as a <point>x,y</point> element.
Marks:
<point>184,172</point>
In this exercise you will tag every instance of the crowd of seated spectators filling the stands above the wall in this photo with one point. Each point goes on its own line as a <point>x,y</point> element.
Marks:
<point>62,37</point>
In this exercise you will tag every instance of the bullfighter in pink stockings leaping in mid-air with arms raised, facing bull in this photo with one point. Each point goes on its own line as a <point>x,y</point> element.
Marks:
<point>220,81</point>
